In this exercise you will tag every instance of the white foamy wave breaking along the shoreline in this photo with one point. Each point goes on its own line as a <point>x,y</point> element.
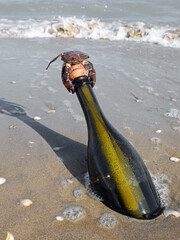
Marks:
<point>73,27</point>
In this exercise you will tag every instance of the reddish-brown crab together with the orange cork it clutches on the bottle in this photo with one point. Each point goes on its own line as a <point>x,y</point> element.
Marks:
<point>75,66</point>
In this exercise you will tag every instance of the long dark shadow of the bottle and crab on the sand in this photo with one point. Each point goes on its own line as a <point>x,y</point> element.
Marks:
<point>72,153</point>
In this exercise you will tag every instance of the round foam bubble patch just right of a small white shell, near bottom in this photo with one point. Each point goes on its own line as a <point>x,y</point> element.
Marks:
<point>73,213</point>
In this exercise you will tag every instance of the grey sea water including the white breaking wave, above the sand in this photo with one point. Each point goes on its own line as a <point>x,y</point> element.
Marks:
<point>147,21</point>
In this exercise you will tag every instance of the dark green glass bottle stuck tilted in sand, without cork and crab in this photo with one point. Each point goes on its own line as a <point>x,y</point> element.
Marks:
<point>117,172</point>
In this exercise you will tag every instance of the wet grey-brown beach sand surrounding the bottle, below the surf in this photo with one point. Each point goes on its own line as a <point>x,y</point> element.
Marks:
<point>45,160</point>
